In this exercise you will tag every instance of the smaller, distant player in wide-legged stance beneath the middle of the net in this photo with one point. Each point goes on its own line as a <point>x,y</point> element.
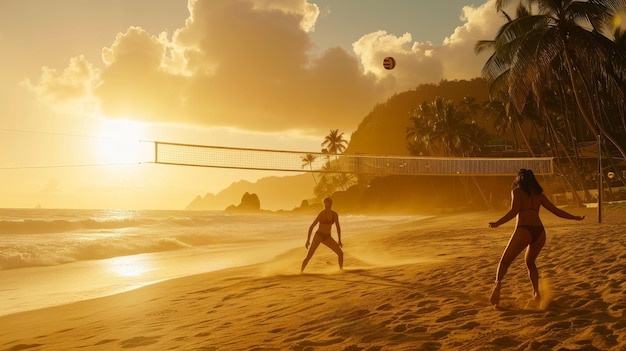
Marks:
<point>326,219</point>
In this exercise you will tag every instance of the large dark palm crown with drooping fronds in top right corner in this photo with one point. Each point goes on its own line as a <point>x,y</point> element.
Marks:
<point>552,50</point>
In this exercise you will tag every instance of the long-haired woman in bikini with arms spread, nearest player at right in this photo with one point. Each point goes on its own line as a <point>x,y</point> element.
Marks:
<point>527,197</point>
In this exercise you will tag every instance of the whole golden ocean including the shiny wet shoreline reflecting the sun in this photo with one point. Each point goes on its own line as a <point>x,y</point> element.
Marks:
<point>50,257</point>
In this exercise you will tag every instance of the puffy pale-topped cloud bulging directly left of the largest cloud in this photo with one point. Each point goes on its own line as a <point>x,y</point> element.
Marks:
<point>138,81</point>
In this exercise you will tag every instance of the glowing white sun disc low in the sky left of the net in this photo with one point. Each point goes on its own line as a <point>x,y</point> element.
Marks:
<point>121,141</point>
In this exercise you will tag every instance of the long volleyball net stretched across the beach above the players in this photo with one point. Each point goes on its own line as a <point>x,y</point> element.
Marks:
<point>302,161</point>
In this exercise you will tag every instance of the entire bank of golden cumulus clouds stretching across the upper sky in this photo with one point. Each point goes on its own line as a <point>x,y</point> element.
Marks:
<point>251,64</point>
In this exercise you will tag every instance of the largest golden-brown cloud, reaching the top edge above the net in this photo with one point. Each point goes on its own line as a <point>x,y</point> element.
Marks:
<point>254,69</point>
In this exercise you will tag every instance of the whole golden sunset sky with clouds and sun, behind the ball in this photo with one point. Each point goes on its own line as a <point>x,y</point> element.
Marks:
<point>86,85</point>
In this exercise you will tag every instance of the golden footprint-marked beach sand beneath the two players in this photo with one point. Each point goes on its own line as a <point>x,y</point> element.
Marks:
<point>417,286</point>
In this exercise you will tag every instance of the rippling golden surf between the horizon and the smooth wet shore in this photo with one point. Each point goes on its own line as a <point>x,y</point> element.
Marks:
<point>46,238</point>
